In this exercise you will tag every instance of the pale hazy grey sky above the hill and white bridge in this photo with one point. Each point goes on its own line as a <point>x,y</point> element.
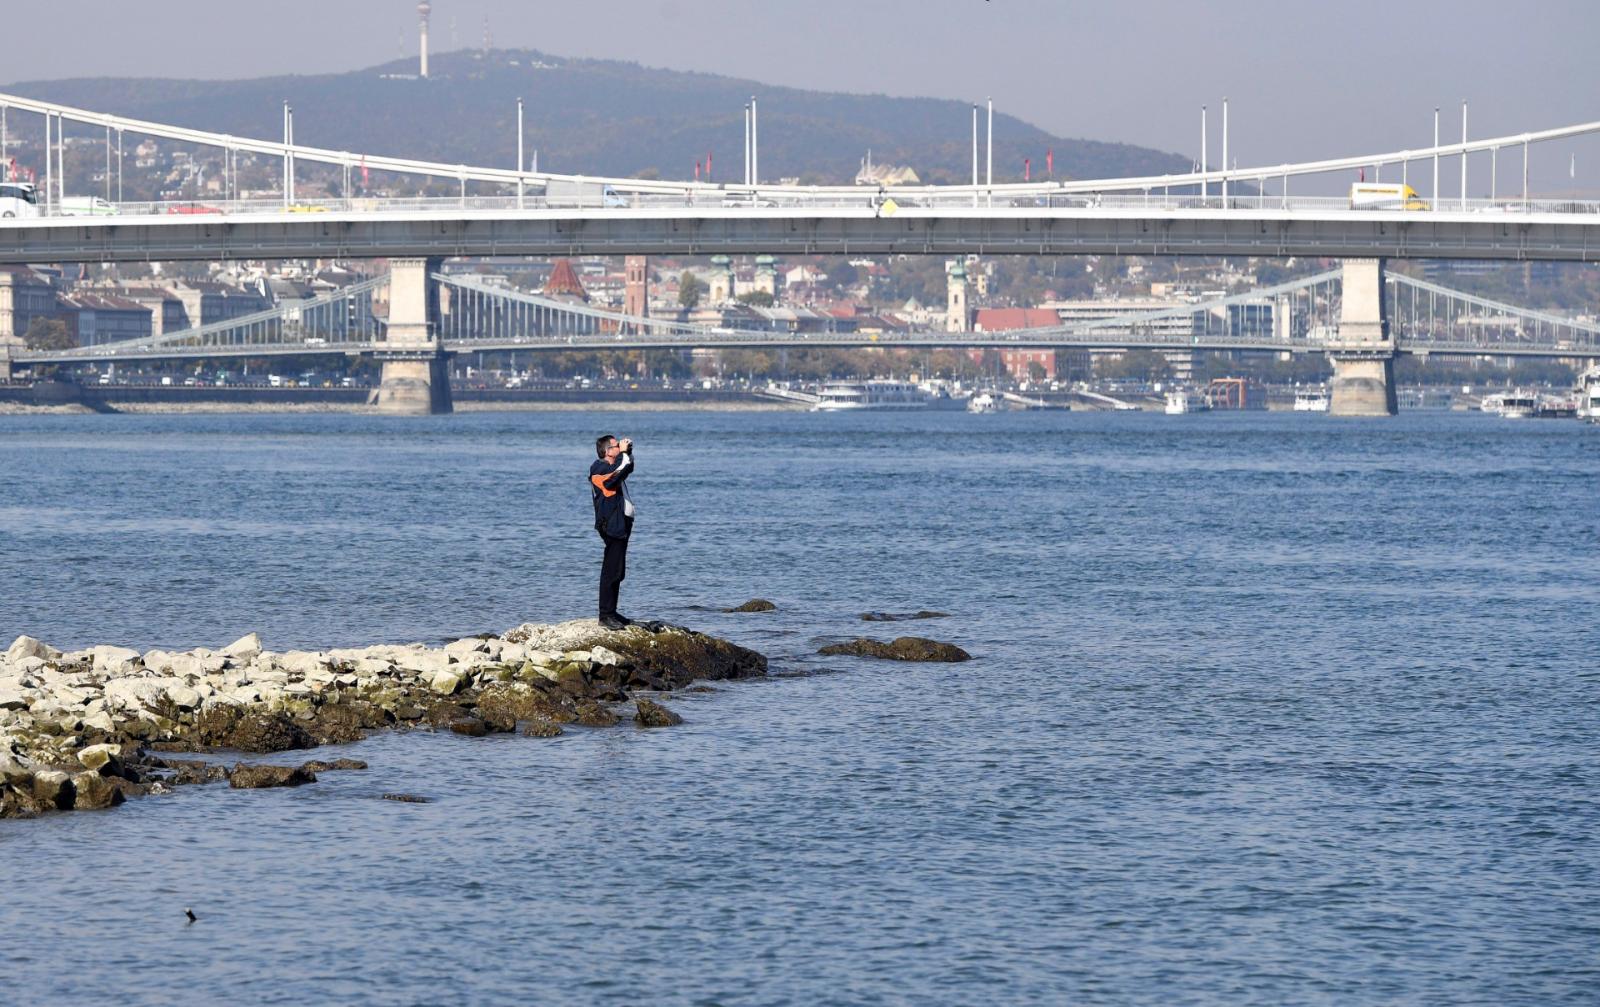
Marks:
<point>1305,81</point>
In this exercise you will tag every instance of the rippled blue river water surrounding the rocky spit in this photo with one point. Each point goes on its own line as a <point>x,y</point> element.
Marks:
<point>1265,710</point>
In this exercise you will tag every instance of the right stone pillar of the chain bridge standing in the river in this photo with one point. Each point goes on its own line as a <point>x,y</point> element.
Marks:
<point>1364,359</point>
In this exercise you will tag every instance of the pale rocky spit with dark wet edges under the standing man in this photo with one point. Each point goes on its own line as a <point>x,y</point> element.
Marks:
<point>89,729</point>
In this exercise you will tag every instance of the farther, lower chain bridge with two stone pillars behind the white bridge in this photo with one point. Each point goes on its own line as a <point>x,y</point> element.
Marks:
<point>463,313</point>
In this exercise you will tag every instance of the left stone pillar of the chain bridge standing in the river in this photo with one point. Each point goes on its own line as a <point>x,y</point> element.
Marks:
<point>415,366</point>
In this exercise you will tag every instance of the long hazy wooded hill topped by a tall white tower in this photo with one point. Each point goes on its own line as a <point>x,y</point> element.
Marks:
<point>599,118</point>
